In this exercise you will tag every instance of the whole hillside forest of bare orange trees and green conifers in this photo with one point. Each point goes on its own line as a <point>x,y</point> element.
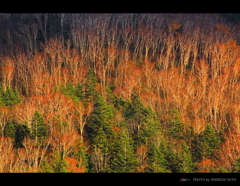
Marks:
<point>119,93</point>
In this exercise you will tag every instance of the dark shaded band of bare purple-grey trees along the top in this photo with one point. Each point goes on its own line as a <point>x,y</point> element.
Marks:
<point>30,31</point>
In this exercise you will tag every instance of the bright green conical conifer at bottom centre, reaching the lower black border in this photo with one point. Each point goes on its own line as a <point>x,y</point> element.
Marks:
<point>124,159</point>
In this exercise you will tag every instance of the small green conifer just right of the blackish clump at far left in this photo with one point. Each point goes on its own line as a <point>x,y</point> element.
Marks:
<point>39,129</point>
